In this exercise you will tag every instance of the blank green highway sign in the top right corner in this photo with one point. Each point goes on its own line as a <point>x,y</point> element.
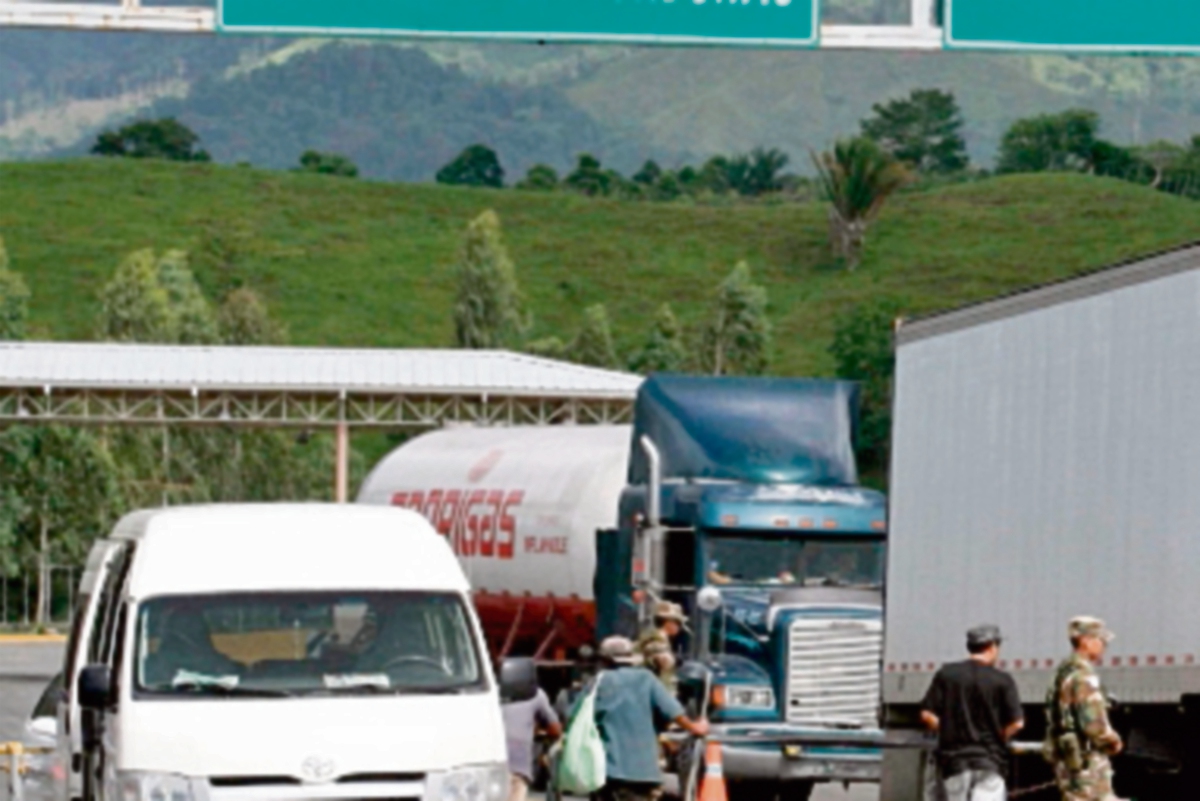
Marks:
<point>1085,26</point>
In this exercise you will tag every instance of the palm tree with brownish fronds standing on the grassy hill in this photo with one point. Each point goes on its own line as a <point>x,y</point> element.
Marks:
<point>857,178</point>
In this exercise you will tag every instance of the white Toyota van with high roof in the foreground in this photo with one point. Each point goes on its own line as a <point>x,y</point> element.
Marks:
<point>253,653</point>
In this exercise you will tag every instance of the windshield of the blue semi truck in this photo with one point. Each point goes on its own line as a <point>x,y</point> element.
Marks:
<point>809,562</point>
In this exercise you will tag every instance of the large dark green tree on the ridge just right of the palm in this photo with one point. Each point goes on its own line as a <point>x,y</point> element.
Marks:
<point>923,130</point>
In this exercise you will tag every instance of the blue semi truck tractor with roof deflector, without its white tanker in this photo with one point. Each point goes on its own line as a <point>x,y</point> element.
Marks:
<point>743,507</point>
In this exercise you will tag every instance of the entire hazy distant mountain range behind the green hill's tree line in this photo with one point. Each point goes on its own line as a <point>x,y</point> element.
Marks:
<point>401,110</point>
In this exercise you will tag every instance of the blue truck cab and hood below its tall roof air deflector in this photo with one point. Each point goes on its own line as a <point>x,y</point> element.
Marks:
<point>783,586</point>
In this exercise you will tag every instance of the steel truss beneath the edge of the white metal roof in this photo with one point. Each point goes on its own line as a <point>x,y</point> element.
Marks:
<point>154,407</point>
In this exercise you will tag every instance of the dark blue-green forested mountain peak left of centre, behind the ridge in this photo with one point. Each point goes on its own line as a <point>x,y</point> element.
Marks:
<point>395,112</point>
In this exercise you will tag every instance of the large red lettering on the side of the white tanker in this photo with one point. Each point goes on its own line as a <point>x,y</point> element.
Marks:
<point>477,522</point>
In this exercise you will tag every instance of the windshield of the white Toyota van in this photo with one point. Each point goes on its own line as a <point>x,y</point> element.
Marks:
<point>305,643</point>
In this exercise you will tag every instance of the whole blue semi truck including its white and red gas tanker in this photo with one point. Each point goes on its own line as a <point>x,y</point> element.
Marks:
<point>737,499</point>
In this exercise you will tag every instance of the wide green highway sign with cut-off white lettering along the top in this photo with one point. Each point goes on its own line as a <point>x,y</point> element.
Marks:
<point>760,23</point>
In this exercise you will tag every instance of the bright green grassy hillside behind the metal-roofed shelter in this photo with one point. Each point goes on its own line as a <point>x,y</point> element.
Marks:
<point>351,263</point>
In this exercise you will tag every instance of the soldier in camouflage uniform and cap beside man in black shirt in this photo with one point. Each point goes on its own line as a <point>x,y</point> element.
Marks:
<point>1079,738</point>
